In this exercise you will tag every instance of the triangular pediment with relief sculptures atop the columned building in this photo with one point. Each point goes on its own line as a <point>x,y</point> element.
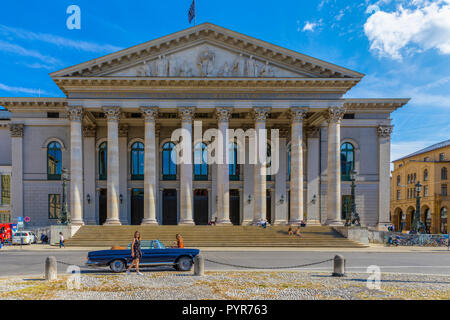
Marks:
<point>207,50</point>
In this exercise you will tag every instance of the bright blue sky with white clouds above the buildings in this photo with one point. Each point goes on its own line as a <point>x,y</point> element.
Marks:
<point>403,47</point>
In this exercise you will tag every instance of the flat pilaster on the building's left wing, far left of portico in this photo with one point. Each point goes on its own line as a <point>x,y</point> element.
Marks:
<point>16,131</point>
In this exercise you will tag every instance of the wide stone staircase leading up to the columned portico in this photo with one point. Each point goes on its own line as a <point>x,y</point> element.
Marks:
<point>213,236</point>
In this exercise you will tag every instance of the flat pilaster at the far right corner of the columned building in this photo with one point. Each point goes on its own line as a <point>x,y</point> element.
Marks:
<point>384,185</point>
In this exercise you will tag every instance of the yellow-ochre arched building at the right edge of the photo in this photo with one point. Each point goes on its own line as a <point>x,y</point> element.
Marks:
<point>429,166</point>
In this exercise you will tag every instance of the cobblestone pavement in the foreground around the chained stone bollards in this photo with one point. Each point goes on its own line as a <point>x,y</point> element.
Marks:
<point>229,285</point>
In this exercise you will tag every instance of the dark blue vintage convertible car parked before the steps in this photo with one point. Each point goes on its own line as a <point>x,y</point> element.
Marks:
<point>154,253</point>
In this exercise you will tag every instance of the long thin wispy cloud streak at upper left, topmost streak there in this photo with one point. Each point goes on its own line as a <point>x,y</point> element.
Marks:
<point>57,40</point>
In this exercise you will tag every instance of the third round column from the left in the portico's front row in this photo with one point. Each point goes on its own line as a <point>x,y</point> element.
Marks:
<point>150,114</point>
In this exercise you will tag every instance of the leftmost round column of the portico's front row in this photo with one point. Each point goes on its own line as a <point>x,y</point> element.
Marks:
<point>75,114</point>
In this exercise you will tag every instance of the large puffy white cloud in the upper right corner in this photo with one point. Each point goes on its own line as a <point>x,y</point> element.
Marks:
<point>422,27</point>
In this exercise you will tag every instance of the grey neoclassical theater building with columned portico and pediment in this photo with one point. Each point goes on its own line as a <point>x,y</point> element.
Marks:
<point>112,132</point>
